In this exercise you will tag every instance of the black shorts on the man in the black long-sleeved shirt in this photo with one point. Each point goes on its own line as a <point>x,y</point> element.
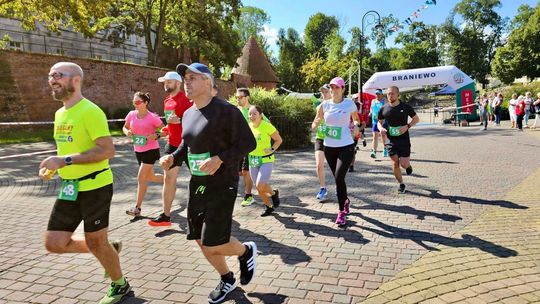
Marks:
<point>209,213</point>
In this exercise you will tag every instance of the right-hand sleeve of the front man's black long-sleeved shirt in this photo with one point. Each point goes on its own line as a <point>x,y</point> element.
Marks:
<point>240,137</point>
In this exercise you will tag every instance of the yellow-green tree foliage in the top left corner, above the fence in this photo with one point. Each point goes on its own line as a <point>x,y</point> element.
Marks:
<point>80,15</point>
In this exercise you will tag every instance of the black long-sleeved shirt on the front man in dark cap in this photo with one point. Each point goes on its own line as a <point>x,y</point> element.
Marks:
<point>220,129</point>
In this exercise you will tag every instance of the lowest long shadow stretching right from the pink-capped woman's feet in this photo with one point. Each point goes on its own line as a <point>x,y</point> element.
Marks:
<point>420,237</point>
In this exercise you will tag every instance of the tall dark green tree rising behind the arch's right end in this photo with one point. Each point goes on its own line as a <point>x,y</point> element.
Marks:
<point>471,46</point>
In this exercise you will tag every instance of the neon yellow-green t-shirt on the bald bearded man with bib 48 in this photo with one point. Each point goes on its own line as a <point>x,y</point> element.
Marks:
<point>75,131</point>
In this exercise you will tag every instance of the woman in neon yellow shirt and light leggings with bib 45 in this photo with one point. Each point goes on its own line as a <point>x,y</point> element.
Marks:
<point>261,159</point>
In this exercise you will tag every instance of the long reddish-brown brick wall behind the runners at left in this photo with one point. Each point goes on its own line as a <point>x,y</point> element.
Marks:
<point>27,97</point>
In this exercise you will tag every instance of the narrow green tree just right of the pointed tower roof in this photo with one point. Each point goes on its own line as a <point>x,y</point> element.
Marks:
<point>292,54</point>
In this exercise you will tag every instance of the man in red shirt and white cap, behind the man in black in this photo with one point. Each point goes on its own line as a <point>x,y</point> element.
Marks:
<point>174,107</point>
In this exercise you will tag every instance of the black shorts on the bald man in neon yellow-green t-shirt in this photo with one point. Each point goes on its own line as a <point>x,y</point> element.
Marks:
<point>92,207</point>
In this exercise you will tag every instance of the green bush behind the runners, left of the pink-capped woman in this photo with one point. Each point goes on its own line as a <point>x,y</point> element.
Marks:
<point>292,117</point>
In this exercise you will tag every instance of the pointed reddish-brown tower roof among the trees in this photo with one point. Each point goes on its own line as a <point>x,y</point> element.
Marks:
<point>254,63</point>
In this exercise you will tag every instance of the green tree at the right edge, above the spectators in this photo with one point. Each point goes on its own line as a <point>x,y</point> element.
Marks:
<point>521,54</point>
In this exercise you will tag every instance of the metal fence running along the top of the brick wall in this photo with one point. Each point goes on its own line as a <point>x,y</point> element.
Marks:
<point>75,47</point>
